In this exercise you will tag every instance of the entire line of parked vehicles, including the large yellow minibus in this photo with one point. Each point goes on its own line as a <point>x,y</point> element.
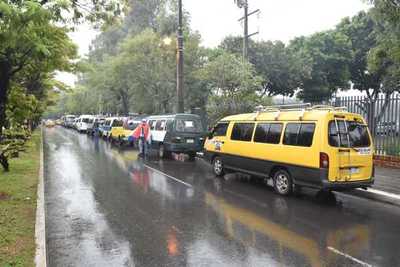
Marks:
<point>320,147</point>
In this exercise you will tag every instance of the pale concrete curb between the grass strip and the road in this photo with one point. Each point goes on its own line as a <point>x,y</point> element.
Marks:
<point>40,226</point>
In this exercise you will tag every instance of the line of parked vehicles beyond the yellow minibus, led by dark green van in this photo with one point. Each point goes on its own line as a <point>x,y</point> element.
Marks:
<point>175,133</point>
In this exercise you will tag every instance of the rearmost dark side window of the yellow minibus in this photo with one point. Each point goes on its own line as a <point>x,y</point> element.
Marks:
<point>299,134</point>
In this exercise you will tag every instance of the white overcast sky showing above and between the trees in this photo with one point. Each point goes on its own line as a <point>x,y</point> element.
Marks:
<point>277,20</point>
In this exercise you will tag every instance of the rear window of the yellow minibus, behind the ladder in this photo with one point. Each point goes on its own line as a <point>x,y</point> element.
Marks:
<point>357,134</point>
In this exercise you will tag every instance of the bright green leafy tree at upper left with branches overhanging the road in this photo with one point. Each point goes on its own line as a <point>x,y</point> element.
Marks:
<point>33,44</point>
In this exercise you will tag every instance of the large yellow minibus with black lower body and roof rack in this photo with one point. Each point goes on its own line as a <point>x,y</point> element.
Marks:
<point>321,147</point>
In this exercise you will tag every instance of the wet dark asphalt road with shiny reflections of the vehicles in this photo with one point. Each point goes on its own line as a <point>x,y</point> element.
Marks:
<point>106,208</point>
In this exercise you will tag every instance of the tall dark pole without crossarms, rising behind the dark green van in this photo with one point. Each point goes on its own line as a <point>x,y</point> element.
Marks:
<point>179,65</point>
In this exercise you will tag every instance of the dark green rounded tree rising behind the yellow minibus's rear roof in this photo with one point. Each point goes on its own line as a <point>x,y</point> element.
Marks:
<point>325,58</point>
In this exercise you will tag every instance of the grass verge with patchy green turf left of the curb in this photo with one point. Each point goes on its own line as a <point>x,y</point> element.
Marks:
<point>18,206</point>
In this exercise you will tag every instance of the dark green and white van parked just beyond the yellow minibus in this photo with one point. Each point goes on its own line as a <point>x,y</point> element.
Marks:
<point>178,133</point>
